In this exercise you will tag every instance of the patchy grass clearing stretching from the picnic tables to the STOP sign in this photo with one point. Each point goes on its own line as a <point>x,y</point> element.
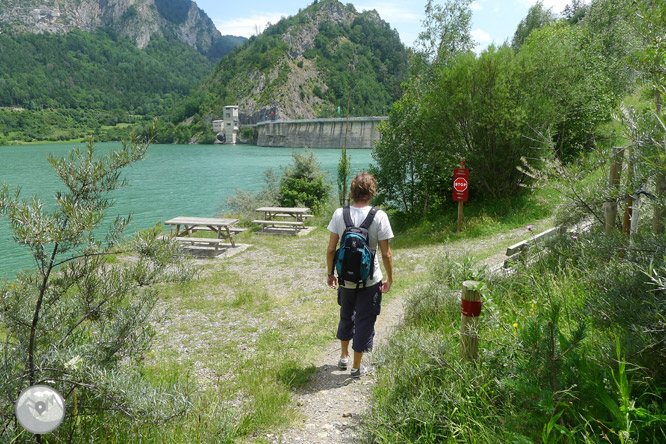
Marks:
<point>244,333</point>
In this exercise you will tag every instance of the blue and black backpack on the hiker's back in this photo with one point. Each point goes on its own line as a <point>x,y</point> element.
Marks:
<point>354,260</point>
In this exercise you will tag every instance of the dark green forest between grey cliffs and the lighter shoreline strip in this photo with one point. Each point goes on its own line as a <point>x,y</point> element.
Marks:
<point>99,71</point>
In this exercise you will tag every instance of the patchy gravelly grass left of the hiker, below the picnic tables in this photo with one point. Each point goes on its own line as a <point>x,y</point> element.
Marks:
<point>246,330</point>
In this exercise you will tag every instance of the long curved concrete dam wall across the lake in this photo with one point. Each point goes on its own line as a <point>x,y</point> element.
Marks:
<point>360,132</point>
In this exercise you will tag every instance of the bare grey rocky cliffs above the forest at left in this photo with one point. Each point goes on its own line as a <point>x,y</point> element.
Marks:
<point>138,20</point>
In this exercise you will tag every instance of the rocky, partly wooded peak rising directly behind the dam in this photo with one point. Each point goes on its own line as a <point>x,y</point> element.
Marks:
<point>313,64</point>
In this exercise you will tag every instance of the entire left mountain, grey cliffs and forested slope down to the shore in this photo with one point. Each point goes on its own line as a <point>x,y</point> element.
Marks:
<point>69,69</point>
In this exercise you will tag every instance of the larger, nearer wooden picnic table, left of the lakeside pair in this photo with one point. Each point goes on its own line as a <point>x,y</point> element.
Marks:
<point>224,228</point>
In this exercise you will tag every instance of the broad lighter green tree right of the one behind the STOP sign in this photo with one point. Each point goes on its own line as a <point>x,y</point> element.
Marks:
<point>574,76</point>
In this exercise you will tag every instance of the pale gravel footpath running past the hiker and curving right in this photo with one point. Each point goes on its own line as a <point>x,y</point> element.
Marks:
<point>332,406</point>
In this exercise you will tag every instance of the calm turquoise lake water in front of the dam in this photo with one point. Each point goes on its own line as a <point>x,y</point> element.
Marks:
<point>173,180</point>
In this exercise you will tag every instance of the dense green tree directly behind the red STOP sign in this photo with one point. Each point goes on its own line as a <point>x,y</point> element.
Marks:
<point>480,115</point>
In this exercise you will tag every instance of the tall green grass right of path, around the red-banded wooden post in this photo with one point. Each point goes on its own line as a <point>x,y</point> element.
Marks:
<point>571,350</point>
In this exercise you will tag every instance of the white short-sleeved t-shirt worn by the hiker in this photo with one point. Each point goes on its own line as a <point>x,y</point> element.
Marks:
<point>380,229</point>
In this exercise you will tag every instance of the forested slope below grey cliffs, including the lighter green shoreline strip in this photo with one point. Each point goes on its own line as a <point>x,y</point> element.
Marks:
<point>48,79</point>
